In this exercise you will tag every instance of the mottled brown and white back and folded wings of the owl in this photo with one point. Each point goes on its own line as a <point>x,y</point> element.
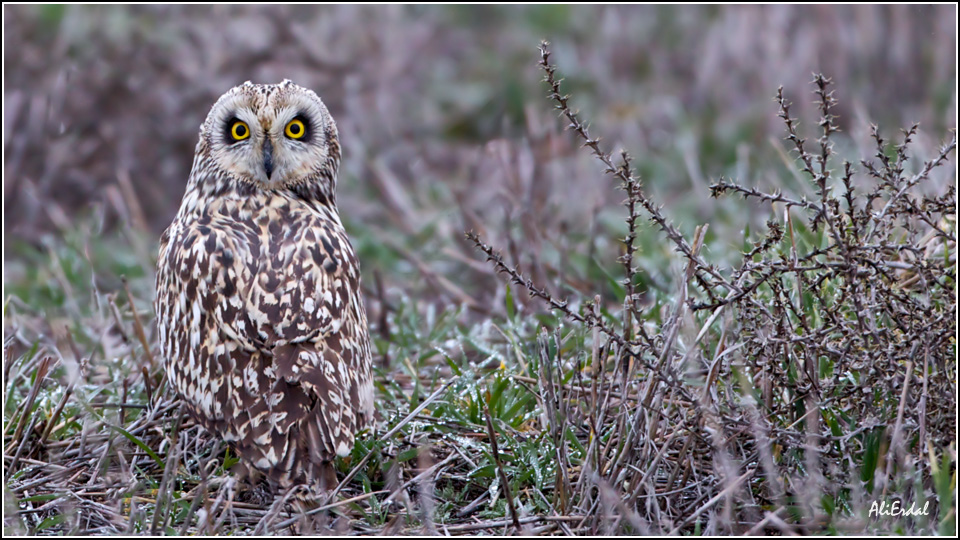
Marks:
<point>268,333</point>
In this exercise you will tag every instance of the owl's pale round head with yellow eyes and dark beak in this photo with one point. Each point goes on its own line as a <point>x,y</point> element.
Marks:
<point>265,137</point>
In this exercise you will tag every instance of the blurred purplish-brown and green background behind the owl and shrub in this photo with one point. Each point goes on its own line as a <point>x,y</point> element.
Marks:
<point>442,110</point>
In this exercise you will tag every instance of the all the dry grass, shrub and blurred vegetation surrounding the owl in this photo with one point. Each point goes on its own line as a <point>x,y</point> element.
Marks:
<point>770,360</point>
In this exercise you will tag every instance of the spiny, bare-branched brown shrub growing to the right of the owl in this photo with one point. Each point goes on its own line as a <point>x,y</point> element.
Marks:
<point>814,379</point>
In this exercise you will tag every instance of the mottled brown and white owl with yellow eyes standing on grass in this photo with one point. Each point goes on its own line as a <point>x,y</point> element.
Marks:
<point>262,327</point>
